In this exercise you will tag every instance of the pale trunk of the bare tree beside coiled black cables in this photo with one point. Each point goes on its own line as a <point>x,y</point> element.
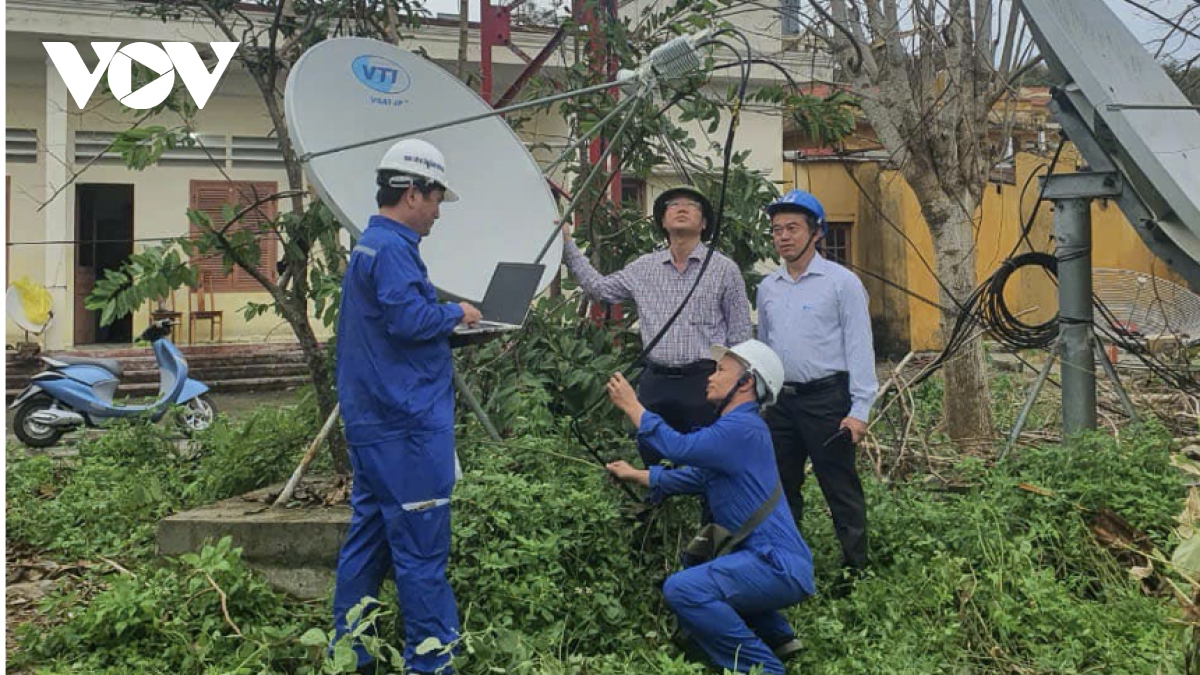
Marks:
<point>965,401</point>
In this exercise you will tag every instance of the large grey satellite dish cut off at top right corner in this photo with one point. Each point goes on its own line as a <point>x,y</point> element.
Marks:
<point>1125,115</point>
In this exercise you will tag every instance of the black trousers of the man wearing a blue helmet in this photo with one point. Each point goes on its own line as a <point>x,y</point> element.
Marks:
<point>801,425</point>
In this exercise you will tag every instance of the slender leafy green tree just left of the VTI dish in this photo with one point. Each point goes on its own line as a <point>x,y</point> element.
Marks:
<point>273,35</point>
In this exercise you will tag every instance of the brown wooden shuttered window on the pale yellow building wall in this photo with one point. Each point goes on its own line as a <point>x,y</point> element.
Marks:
<point>212,196</point>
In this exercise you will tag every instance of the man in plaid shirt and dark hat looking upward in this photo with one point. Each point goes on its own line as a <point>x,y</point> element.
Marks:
<point>718,314</point>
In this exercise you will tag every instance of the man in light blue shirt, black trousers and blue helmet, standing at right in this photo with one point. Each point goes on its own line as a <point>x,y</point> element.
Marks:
<point>814,315</point>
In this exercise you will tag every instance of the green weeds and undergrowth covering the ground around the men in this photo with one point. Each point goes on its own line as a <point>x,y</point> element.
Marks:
<point>997,571</point>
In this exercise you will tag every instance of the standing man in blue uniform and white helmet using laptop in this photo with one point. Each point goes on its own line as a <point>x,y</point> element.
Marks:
<point>394,386</point>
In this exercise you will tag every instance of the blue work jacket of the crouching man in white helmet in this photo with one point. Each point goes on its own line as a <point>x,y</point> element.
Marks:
<point>733,463</point>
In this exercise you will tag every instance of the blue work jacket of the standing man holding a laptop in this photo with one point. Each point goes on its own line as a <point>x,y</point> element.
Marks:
<point>394,369</point>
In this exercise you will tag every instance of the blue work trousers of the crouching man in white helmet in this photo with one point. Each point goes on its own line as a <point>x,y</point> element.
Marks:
<point>730,608</point>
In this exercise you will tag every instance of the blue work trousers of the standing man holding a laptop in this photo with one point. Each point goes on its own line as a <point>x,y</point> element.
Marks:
<point>401,522</point>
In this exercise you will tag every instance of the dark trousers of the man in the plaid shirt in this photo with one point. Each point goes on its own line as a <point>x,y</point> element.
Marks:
<point>679,397</point>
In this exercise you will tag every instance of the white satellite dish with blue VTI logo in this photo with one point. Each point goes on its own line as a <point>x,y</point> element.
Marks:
<point>352,91</point>
